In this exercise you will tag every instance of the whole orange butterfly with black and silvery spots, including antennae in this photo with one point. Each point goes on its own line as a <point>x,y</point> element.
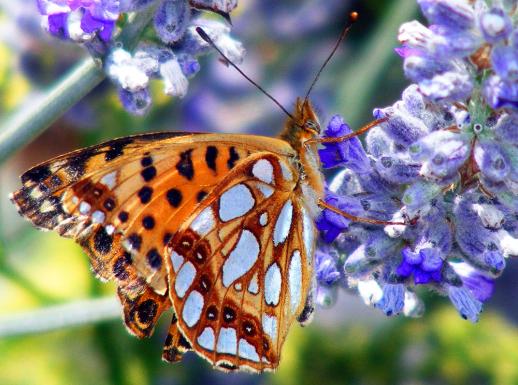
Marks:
<point>218,227</point>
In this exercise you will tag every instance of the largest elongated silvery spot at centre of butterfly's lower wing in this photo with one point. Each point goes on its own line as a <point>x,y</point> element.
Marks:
<point>241,258</point>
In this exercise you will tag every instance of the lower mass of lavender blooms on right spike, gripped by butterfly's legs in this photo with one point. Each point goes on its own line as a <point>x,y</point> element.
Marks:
<point>422,251</point>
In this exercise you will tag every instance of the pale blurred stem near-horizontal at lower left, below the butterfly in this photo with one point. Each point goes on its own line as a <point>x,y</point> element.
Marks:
<point>56,317</point>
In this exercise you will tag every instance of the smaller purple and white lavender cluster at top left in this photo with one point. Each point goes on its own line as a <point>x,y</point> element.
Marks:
<point>169,51</point>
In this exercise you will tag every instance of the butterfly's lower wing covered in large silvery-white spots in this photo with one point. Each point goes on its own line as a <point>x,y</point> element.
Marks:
<point>241,266</point>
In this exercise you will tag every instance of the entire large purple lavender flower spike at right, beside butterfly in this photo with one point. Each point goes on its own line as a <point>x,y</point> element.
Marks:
<point>441,166</point>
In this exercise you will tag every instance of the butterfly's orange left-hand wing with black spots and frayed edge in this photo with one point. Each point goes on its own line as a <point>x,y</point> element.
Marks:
<point>98,196</point>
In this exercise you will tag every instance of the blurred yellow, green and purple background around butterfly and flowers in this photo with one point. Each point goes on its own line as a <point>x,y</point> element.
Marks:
<point>286,41</point>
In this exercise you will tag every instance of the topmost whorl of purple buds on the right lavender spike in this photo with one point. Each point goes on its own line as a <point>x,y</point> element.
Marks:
<point>447,59</point>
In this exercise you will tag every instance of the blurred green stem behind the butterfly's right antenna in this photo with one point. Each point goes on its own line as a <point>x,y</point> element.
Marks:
<point>363,77</point>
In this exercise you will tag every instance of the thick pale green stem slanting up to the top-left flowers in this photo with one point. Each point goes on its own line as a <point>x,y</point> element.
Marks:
<point>39,112</point>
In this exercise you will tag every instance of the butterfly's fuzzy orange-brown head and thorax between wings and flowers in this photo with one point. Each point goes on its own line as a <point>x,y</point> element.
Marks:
<point>297,131</point>
